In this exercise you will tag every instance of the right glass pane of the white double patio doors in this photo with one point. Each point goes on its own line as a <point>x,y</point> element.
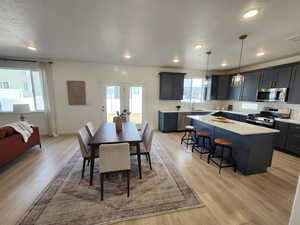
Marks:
<point>136,104</point>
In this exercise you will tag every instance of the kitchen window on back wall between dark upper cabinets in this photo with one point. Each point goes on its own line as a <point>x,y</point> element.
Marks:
<point>194,90</point>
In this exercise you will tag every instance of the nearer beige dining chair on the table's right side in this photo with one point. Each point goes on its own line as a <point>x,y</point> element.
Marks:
<point>146,146</point>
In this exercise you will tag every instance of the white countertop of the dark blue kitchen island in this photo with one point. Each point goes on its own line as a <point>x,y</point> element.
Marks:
<point>235,126</point>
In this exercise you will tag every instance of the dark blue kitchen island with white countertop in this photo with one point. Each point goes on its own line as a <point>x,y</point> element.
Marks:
<point>252,145</point>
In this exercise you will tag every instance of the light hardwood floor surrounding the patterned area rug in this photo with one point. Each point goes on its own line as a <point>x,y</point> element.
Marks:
<point>230,199</point>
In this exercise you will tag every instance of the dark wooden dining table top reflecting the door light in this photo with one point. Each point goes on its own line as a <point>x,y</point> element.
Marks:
<point>106,134</point>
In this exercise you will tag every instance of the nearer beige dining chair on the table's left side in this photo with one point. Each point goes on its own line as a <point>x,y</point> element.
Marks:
<point>85,149</point>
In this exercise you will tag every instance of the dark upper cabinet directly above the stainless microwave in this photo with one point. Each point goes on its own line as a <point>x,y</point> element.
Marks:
<point>276,77</point>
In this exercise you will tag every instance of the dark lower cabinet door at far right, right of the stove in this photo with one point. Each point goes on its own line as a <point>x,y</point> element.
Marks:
<point>293,139</point>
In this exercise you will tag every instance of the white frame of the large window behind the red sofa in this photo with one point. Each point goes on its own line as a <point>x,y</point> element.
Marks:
<point>32,85</point>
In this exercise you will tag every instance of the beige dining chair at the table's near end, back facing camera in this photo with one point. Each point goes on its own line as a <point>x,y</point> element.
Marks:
<point>114,158</point>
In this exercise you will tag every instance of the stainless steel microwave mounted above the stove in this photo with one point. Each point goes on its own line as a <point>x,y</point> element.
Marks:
<point>272,95</point>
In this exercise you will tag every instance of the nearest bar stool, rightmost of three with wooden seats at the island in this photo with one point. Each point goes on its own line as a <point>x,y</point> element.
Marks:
<point>224,145</point>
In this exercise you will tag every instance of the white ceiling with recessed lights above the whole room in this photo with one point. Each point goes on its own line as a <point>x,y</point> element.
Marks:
<point>152,31</point>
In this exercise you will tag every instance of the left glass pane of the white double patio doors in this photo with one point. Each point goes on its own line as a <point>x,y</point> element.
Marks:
<point>112,102</point>
